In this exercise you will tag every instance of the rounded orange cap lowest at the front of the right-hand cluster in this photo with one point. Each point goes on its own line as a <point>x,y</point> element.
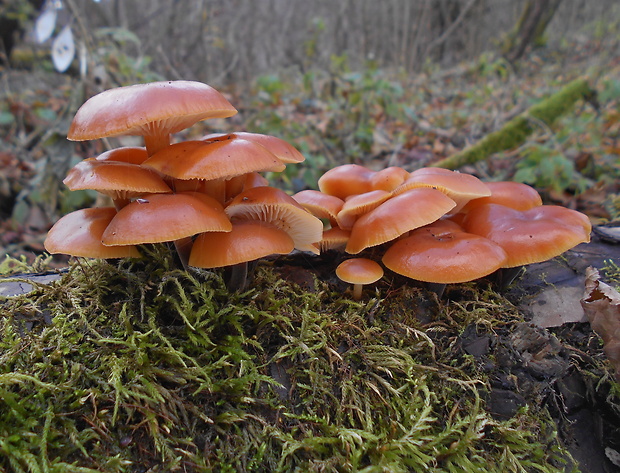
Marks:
<point>438,255</point>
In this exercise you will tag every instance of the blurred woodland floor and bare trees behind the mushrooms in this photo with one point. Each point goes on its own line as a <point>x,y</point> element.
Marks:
<point>396,82</point>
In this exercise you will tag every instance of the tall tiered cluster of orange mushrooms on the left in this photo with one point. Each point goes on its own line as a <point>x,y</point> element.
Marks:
<point>207,196</point>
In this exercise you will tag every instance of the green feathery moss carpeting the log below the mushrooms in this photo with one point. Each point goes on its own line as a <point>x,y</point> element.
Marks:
<point>134,366</point>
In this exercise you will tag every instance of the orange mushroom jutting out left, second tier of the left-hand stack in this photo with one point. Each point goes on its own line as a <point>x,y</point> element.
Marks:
<point>121,181</point>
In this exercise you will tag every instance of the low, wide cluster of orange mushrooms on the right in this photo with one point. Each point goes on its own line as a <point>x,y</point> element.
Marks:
<point>439,226</point>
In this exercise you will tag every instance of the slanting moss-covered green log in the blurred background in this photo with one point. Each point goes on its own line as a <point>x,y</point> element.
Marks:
<point>516,131</point>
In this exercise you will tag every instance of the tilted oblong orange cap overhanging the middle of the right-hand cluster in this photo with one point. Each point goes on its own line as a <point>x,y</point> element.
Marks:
<point>398,215</point>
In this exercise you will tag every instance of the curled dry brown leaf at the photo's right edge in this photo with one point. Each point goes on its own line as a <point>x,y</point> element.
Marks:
<point>601,304</point>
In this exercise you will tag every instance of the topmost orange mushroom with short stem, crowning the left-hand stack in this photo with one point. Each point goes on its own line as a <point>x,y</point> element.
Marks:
<point>154,110</point>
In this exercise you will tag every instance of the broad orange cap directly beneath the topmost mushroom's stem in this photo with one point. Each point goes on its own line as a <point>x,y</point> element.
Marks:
<point>210,160</point>
